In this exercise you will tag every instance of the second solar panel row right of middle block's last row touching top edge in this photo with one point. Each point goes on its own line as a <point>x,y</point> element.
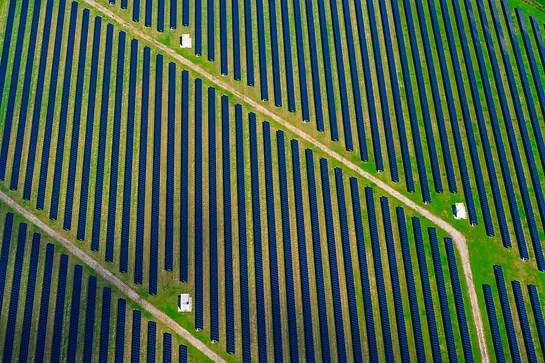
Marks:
<point>87,151</point>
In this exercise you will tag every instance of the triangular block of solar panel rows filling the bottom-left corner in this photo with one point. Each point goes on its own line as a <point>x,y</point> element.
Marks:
<point>50,317</point>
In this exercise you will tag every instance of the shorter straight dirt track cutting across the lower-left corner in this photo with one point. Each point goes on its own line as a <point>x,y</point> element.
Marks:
<point>105,273</point>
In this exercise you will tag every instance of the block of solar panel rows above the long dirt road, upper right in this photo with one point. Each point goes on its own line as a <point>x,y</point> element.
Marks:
<point>423,98</point>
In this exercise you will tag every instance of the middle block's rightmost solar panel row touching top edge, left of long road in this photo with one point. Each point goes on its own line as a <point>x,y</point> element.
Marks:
<point>61,136</point>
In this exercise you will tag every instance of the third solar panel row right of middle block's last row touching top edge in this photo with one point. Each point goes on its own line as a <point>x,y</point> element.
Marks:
<point>102,139</point>
